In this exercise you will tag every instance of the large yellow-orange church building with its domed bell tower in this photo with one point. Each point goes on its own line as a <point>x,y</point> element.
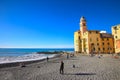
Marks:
<point>92,41</point>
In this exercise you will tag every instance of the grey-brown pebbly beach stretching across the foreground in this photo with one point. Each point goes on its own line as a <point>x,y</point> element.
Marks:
<point>86,68</point>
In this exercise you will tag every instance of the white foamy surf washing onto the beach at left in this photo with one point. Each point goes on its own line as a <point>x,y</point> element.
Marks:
<point>28,57</point>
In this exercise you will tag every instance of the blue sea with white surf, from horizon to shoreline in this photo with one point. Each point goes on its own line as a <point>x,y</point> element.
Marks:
<point>11,55</point>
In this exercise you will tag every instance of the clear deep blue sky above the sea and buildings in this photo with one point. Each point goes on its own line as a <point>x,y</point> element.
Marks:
<point>52,23</point>
